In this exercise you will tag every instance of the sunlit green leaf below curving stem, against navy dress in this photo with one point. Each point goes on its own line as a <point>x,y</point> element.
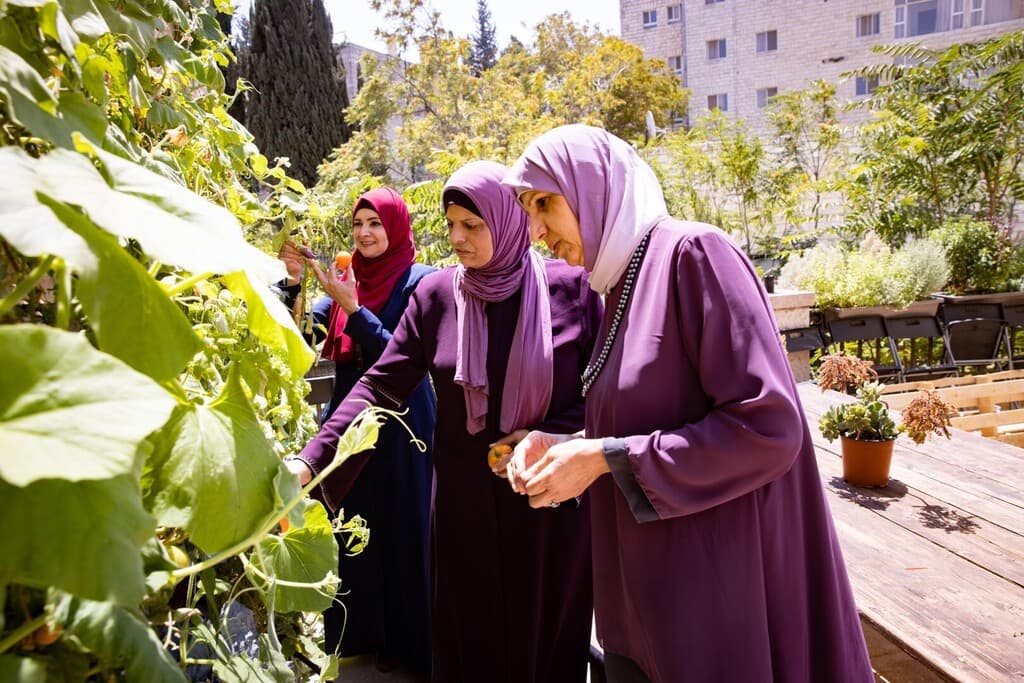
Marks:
<point>305,556</point>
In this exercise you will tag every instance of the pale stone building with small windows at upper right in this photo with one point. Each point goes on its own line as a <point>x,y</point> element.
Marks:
<point>736,55</point>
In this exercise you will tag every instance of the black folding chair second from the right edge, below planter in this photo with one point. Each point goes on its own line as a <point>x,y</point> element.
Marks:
<point>976,334</point>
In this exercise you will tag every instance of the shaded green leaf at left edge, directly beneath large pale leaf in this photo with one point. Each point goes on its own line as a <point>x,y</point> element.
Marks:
<point>81,537</point>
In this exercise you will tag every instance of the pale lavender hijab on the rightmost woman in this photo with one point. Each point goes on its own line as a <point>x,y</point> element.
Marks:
<point>614,194</point>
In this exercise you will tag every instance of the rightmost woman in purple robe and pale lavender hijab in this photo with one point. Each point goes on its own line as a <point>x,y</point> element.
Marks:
<point>715,557</point>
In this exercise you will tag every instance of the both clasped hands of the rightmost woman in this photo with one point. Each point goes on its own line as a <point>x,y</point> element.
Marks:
<point>557,467</point>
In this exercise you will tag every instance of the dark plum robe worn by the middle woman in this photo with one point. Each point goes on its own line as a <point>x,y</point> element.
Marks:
<point>511,586</point>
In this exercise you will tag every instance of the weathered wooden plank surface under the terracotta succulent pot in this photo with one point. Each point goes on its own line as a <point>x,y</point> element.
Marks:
<point>936,559</point>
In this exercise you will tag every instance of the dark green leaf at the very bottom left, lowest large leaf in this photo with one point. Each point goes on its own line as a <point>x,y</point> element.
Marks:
<point>119,638</point>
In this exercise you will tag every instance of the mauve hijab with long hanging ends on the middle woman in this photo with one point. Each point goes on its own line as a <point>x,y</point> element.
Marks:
<point>514,267</point>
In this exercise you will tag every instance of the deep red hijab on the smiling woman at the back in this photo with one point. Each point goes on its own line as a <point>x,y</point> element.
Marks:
<point>375,278</point>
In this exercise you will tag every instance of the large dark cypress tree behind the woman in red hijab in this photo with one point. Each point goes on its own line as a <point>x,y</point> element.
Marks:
<point>298,108</point>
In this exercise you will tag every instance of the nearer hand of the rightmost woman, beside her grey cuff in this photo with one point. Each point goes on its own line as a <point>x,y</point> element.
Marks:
<point>565,472</point>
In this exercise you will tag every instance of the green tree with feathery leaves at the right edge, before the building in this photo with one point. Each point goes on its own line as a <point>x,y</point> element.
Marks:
<point>948,136</point>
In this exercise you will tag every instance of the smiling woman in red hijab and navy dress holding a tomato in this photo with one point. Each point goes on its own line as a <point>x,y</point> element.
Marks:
<point>385,607</point>
